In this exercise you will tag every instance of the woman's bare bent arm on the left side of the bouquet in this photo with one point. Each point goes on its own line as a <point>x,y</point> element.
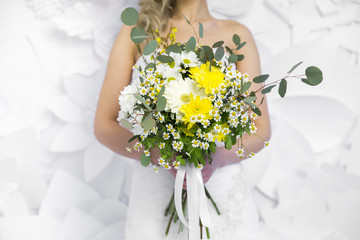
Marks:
<point>118,75</point>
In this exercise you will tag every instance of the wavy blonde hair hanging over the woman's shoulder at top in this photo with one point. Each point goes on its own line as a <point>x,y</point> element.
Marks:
<point>155,13</point>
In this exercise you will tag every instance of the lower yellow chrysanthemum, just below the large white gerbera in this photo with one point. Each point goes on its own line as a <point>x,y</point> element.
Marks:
<point>195,107</point>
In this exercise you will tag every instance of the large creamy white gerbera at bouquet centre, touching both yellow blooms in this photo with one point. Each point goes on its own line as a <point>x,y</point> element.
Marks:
<point>177,93</point>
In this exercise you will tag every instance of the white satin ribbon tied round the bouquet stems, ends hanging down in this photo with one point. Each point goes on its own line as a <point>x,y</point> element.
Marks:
<point>197,202</point>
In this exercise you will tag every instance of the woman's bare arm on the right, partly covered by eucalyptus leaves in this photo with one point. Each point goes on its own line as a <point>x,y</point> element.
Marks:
<point>250,65</point>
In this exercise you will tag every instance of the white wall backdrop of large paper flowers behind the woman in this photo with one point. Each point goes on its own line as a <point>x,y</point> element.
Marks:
<point>58,182</point>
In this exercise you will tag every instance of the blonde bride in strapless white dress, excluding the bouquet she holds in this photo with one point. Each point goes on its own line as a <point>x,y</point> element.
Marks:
<point>224,178</point>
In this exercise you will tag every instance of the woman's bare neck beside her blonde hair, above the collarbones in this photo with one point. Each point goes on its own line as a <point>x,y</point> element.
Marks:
<point>194,10</point>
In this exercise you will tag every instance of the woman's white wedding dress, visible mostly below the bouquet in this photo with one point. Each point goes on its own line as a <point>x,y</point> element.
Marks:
<point>151,193</point>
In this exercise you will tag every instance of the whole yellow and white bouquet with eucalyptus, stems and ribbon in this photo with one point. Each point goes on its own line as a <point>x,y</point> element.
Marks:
<point>187,98</point>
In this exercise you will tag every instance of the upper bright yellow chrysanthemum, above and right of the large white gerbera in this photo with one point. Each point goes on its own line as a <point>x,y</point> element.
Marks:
<point>206,79</point>
